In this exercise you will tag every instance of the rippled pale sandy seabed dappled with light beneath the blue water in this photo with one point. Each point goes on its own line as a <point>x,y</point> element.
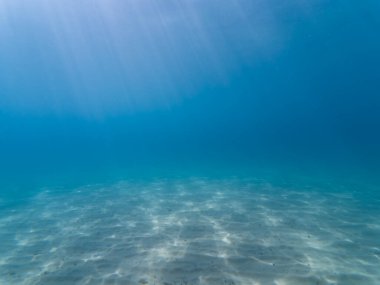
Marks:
<point>190,231</point>
